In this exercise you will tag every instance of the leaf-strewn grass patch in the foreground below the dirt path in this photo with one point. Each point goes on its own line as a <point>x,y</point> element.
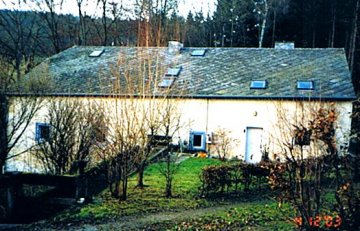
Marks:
<point>264,215</point>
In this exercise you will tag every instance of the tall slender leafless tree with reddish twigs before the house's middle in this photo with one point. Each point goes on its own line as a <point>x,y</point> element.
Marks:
<point>143,112</point>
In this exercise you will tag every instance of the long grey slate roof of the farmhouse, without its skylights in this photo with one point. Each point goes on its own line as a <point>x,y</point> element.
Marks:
<point>221,73</point>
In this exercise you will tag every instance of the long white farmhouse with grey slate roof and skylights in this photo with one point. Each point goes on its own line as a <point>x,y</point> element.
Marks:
<point>249,93</point>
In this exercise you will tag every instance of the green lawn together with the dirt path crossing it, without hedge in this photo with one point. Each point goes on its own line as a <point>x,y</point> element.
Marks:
<point>188,209</point>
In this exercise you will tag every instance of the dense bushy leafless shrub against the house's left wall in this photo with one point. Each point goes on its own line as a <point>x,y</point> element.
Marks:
<point>74,129</point>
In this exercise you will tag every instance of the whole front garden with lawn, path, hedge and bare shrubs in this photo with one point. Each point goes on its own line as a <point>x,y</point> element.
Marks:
<point>160,187</point>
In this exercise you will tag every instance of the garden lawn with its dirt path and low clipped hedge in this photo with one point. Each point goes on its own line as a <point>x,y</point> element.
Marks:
<point>238,196</point>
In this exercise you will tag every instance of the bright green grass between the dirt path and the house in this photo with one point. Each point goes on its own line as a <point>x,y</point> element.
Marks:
<point>150,199</point>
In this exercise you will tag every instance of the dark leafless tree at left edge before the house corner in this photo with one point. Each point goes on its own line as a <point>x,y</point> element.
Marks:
<point>18,106</point>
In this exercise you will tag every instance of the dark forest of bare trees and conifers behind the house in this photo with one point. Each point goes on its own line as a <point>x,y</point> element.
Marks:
<point>27,37</point>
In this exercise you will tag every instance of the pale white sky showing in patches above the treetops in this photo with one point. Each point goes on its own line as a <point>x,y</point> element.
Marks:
<point>70,7</point>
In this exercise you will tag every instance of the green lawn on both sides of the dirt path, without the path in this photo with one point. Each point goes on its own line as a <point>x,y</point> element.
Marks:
<point>254,209</point>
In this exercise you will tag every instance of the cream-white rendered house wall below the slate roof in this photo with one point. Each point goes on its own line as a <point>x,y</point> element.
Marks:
<point>208,115</point>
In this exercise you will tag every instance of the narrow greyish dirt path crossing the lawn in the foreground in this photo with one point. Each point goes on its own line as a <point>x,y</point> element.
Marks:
<point>139,222</point>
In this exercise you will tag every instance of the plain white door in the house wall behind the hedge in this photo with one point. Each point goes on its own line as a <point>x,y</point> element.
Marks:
<point>253,145</point>
